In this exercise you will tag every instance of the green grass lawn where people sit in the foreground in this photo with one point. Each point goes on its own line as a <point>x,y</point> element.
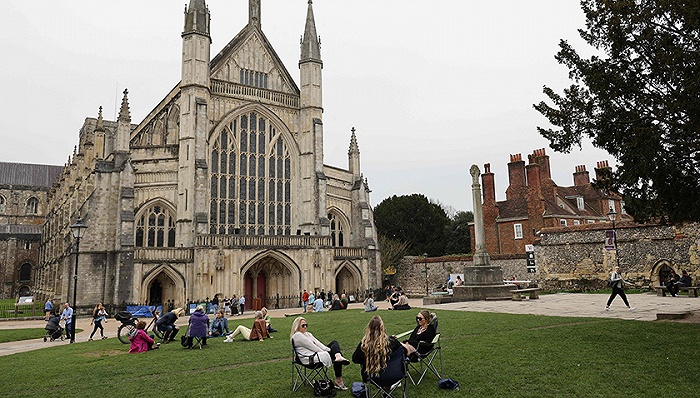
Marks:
<point>491,355</point>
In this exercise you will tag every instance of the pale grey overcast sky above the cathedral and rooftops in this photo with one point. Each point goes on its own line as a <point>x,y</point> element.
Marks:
<point>431,87</point>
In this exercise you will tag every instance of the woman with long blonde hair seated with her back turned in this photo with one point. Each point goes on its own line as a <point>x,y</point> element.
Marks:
<point>375,348</point>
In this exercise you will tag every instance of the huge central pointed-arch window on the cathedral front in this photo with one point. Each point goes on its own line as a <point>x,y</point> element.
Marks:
<point>250,179</point>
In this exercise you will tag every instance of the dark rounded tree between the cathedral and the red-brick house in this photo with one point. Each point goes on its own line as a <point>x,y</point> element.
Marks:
<point>413,219</point>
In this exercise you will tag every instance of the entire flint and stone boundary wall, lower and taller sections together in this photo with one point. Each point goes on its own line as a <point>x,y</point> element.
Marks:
<point>575,258</point>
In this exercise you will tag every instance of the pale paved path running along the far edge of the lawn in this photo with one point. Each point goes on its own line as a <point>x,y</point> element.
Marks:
<point>561,304</point>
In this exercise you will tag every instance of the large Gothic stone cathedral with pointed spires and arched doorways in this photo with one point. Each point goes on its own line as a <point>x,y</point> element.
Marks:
<point>220,189</point>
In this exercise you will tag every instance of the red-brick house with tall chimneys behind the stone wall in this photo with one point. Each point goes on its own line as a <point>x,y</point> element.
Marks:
<point>534,201</point>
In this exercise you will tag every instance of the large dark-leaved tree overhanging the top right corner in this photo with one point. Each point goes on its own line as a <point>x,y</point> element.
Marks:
<point>638,99</point>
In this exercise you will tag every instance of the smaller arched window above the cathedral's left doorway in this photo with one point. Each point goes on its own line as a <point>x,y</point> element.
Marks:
<point>155,228</point>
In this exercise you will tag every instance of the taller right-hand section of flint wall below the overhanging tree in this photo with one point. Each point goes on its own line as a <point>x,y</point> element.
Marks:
<point>575,257</point>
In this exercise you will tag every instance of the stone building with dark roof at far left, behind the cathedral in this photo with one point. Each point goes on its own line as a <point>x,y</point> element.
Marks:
<point>23,205</point>
